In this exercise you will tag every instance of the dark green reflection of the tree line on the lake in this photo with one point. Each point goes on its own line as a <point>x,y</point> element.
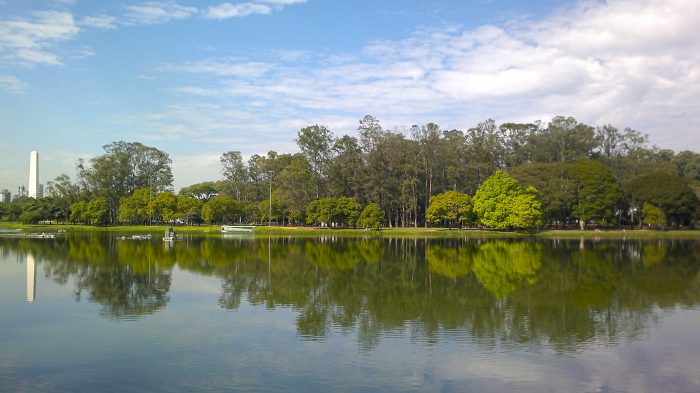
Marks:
<point>564,294</point>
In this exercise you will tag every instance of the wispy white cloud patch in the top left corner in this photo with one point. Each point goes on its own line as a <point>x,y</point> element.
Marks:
<point>29,42</point>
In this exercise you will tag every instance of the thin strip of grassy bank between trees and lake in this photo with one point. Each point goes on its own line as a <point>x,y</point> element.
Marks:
<point>386,232</point>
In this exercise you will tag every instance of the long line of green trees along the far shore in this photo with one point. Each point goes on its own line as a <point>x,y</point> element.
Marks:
<point>557,175</point>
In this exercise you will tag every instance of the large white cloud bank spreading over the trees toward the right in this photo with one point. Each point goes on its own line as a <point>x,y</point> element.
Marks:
<point>629,63</point>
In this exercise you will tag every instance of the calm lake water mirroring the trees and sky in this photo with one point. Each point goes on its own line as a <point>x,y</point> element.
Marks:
<point>96,313</point>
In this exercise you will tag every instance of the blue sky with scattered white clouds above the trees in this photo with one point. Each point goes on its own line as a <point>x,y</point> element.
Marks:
<point>200,78</point>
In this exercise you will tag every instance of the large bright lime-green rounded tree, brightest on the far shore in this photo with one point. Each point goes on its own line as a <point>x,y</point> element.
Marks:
<point>501,203</point>
